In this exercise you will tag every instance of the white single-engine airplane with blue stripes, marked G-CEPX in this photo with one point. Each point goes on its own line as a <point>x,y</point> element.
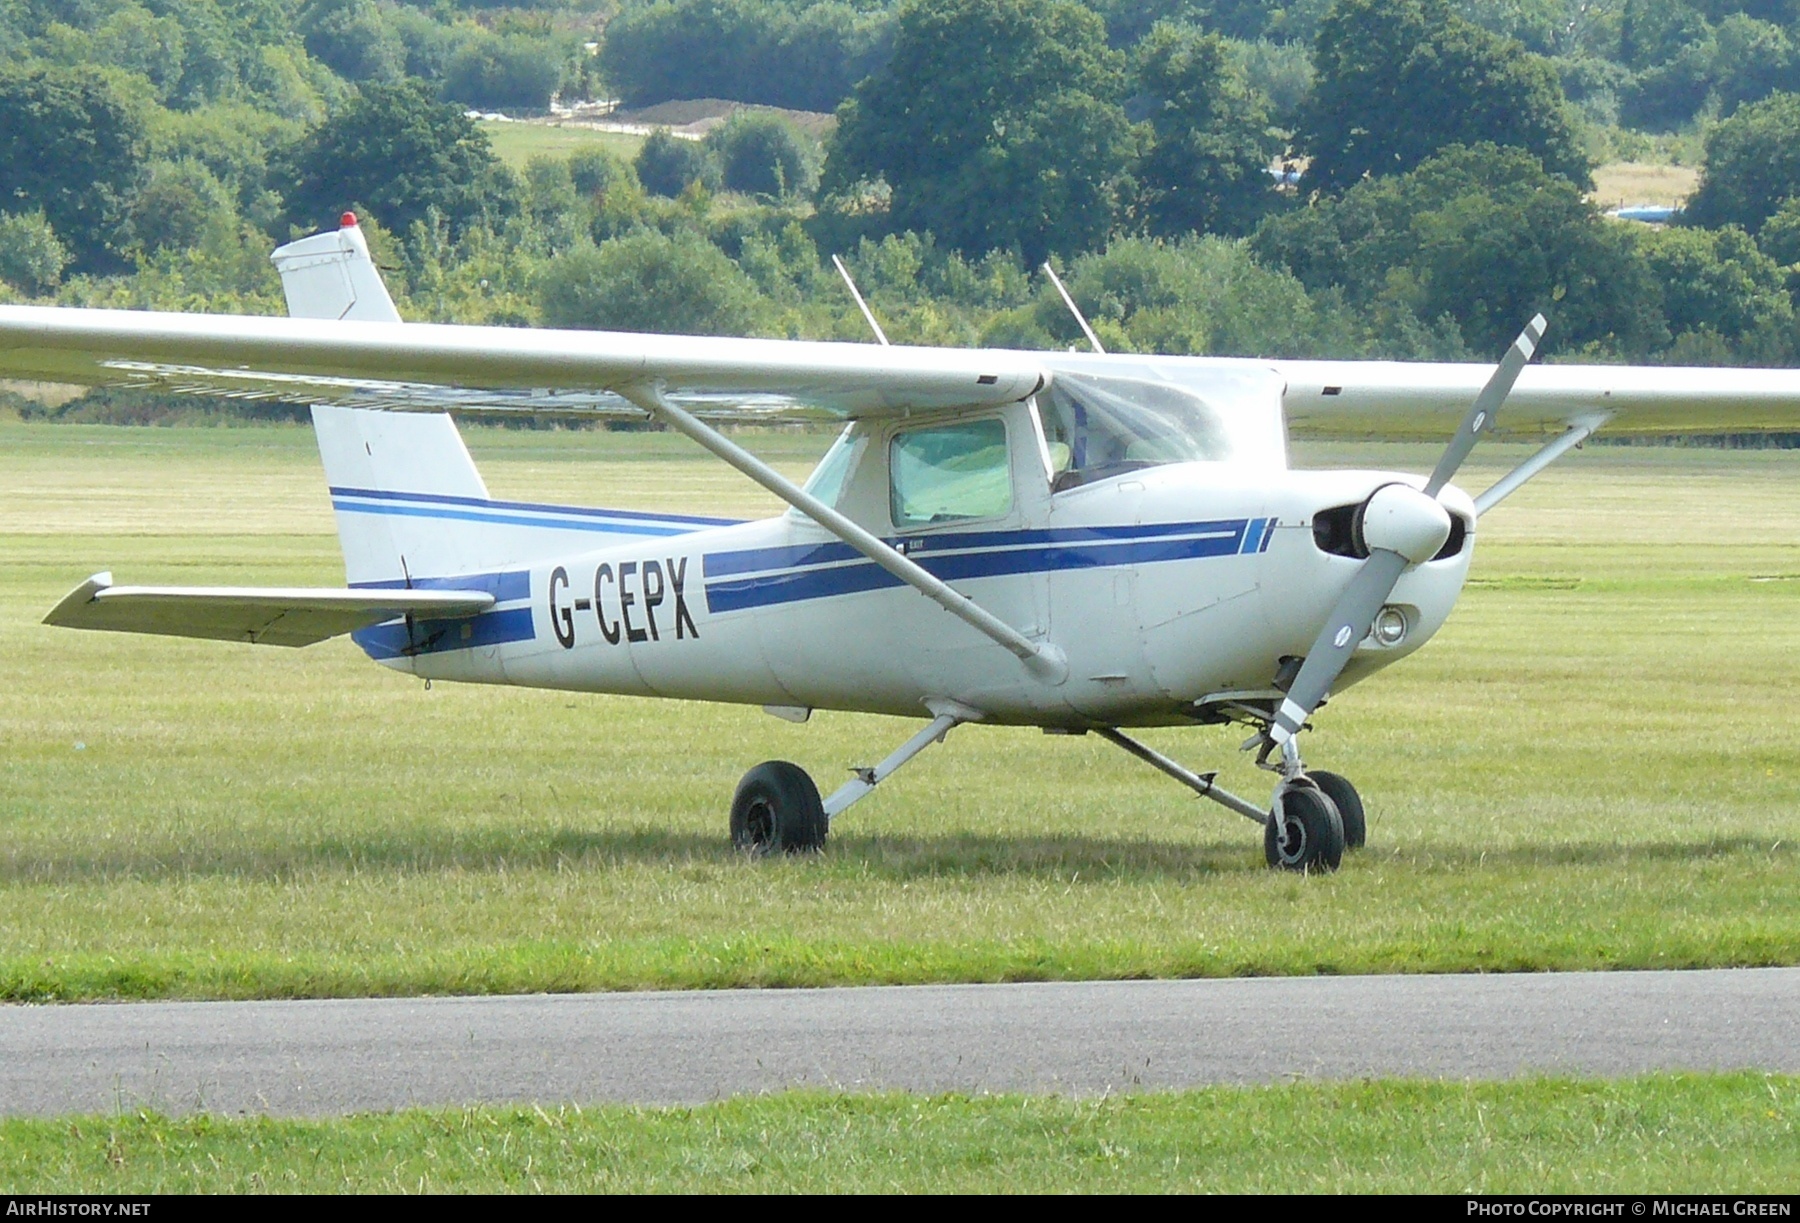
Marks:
<point>1070,541</point>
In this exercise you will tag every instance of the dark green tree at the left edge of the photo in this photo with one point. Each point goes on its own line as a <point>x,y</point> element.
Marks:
<point>71,145</point>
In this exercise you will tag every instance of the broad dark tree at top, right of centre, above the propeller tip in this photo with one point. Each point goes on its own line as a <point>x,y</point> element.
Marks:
<point>1399,80</point>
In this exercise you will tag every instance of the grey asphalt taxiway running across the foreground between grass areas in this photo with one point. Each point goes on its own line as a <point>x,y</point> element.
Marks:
<point>1079,1038</point>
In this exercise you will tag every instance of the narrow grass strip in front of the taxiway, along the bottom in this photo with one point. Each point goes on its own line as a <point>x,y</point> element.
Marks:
<point>1662,1134</point>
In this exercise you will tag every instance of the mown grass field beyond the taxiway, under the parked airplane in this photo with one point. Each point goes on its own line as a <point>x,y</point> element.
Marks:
<point>1594,766</point>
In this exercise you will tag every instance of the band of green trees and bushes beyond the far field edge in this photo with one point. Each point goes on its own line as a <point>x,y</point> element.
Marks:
<point>1437,192</point>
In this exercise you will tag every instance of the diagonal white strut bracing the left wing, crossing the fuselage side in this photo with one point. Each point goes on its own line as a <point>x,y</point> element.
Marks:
<point>1041,658</point>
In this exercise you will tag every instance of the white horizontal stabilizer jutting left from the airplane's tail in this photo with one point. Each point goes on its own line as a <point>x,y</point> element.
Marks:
<point>258,615</point>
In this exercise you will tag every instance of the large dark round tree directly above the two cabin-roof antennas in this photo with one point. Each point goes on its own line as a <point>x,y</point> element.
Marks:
<point>996,123</point>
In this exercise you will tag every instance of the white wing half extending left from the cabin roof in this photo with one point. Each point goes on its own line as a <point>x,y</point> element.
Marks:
<point>418,367</point>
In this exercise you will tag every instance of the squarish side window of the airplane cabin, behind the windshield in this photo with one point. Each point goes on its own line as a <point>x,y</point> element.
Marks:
<point>949,473</point>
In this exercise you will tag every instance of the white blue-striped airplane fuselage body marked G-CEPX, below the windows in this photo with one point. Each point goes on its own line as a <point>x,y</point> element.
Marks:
<point>1164,588</point>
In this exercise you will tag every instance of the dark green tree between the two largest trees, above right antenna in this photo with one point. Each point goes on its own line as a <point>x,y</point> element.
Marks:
<point>1209,165</point>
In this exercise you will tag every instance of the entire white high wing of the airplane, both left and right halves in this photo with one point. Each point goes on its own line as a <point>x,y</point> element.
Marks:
<point>438,367</point>
